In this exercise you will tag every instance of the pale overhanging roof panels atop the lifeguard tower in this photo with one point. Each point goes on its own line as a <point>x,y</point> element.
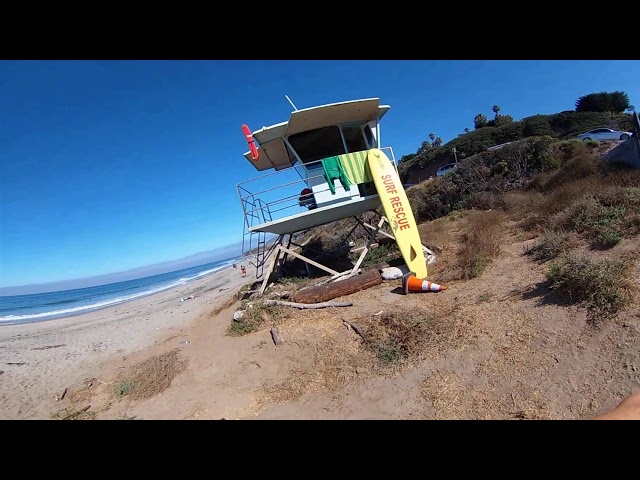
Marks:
<point>273,152</point>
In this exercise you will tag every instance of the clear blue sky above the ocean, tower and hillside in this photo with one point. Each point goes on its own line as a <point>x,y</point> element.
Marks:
<point>111,165</point>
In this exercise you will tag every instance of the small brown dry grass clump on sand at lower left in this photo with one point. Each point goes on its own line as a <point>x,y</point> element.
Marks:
<point>150,377</point>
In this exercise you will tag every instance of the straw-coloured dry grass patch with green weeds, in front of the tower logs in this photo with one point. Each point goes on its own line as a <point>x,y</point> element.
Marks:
<point>390,342</point>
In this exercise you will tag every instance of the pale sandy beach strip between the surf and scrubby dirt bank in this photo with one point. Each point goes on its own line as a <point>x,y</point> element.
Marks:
<point>39,360</point>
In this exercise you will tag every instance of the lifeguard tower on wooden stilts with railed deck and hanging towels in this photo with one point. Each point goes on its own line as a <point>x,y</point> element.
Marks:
<point>319,174</point>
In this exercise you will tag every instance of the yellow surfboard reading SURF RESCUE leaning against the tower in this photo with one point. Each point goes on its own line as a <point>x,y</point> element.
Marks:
<point>398,211</point>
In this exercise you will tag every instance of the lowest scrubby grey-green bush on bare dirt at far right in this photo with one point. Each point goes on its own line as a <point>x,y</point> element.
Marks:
<point>602,285</point>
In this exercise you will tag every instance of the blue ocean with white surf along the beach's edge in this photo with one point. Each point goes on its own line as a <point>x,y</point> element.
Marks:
<point>47,306</point>
